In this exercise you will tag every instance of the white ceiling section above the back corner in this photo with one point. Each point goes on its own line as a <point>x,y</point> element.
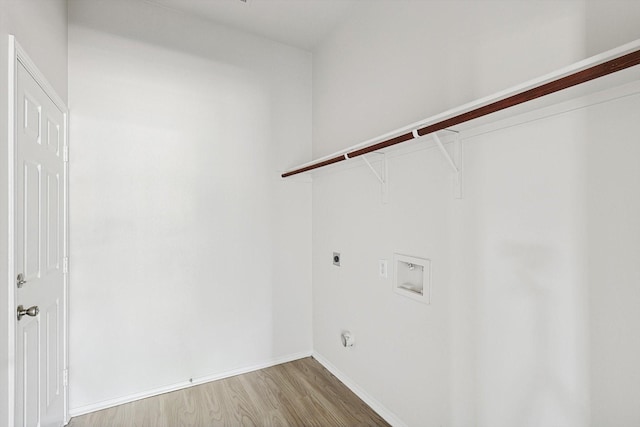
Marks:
<point>299,23</point>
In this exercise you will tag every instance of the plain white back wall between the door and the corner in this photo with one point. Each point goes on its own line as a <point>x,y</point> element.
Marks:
<point>190,257</point>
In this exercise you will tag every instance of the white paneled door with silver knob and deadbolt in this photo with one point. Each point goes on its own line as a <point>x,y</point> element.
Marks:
<point>40,245</point>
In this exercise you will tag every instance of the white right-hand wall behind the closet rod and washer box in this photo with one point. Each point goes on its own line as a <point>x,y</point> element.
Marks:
<point>525,324</point>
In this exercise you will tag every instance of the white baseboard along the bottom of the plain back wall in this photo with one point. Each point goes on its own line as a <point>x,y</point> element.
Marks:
<point>74,412</point>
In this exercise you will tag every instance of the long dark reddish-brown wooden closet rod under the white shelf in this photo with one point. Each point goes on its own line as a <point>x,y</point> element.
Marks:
<point>614,65</point>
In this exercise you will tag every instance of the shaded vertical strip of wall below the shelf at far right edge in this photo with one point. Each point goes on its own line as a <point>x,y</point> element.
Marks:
<point>613,206</point>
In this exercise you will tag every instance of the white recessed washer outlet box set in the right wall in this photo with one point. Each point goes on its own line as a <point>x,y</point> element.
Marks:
<point>412,277</point>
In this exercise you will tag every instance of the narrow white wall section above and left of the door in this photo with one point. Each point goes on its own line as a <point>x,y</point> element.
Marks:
<point>40,26</point>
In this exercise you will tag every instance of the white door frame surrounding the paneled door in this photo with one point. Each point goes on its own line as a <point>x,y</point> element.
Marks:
<point>18,55</point>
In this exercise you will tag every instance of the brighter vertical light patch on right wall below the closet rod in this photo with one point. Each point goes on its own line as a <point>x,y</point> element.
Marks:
<point>524,211</point>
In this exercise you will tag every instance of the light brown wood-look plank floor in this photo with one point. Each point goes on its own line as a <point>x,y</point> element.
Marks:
<point>299,393</point>
